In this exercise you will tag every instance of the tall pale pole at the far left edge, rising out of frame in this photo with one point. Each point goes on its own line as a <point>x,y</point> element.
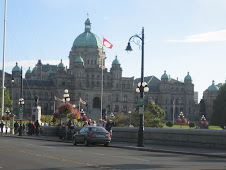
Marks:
<point>3,62</point>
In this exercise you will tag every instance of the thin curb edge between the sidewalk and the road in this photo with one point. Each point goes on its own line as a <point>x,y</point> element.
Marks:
<point>128,147</point>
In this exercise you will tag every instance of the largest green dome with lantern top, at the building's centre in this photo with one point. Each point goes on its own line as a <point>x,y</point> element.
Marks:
<point>87,39</point>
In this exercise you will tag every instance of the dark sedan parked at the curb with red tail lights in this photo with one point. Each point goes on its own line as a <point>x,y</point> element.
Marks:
<point>92,135</point>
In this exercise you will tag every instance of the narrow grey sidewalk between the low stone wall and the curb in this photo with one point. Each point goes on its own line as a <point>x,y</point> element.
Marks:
<point>220,153</point>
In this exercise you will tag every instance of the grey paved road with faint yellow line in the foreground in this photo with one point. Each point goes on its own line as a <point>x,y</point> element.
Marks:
<point>16,153</point>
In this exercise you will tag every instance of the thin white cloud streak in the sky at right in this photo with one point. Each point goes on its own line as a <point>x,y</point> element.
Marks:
<point>204,37</point>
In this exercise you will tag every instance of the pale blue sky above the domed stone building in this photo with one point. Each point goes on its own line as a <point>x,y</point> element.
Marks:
<point>180,35</point>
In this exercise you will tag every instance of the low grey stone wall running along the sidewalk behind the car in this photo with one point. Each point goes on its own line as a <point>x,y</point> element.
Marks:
<point>164,136</point>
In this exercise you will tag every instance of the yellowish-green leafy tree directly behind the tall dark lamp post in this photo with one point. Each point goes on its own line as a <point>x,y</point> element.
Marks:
<point>153,116</point>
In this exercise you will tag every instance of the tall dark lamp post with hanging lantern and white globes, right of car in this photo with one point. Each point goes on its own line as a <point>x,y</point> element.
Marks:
<point>142,87</point>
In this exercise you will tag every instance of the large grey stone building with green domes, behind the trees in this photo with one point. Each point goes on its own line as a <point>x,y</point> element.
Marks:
<point>83,79</point>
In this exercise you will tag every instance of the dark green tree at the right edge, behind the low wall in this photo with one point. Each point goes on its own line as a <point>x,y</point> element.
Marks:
<point>219,108</point>
